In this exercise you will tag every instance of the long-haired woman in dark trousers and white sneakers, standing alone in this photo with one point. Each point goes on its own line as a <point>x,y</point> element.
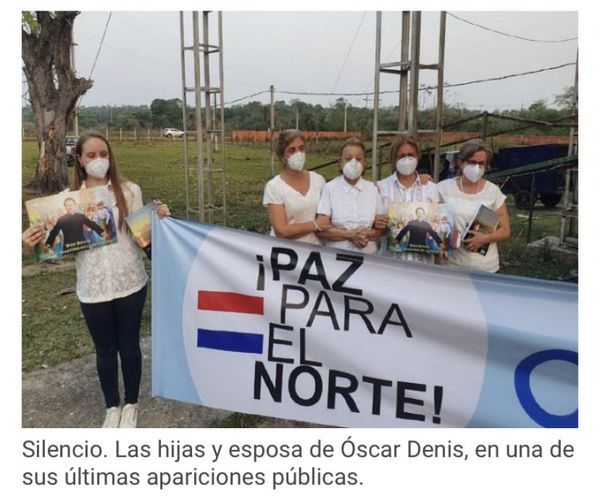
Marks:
<point>111,281</point>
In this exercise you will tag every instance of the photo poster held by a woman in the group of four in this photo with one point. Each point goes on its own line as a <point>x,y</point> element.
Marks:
<point>422,227</point>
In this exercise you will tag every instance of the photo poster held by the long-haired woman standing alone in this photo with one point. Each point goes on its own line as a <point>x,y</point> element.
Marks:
<point>73,221</point>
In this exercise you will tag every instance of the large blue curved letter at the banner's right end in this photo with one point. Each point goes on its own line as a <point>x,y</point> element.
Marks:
<point>525,395</point>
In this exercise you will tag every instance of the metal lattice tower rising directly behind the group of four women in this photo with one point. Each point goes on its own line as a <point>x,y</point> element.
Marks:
<point>408,69</point>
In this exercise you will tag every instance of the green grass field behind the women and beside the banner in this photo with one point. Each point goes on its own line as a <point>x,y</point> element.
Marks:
<point>53,328</point>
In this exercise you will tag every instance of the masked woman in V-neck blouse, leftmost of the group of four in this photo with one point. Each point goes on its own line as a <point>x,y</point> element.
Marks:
<point>293,195</point>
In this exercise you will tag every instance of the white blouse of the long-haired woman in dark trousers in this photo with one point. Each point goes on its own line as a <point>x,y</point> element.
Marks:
<point>116,270</point>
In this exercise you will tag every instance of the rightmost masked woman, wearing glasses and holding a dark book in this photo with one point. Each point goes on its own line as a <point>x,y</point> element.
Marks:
<point>467,193</point>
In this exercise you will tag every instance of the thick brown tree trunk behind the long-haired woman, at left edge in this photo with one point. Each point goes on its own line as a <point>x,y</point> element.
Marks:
<point>46,39</point>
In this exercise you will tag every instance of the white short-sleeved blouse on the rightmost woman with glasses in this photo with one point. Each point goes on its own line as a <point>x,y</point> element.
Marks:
<point>465,207</point>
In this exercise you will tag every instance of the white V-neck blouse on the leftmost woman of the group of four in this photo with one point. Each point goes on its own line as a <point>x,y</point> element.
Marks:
<point>298,208</point>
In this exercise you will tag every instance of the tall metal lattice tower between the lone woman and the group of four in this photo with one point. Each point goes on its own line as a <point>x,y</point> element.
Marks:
<point>205,194</point>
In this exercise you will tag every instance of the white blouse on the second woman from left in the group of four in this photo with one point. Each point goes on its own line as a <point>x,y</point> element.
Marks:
<point>350,207</point>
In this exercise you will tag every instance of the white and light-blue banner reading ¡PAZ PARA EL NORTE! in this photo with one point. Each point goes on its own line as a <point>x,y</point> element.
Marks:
<point>256,324</point>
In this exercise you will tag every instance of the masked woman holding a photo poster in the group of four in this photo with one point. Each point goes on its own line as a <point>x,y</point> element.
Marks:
<point>406,185</point>
